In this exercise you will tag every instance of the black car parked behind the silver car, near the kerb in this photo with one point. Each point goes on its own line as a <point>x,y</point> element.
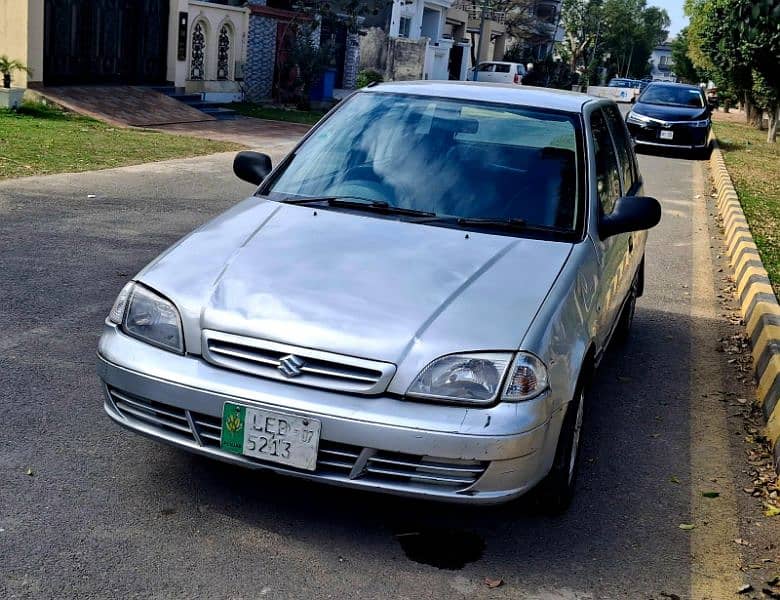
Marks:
<point>672,115</point>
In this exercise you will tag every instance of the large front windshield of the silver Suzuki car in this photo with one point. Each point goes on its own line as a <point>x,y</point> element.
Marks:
<point>452,158</point>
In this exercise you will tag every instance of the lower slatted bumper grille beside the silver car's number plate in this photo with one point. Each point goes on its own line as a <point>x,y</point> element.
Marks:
<point>334,460</point>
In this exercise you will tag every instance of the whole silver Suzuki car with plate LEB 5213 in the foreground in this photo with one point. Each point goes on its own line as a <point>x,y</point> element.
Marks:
<point>413,301</point>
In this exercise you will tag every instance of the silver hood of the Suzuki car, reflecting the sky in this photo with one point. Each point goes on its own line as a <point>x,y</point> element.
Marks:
<point>354,284</point>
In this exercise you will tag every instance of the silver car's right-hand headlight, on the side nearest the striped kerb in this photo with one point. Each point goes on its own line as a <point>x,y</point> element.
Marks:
<point>476,378</point>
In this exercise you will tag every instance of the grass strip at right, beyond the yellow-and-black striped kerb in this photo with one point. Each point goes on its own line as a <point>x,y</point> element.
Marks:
<point>754,166</point>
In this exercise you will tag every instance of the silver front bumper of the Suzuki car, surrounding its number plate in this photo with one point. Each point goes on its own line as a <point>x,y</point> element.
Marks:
<point>387,444</point>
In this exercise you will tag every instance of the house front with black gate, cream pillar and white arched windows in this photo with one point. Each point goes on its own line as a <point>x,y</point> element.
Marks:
<point>195,45</point>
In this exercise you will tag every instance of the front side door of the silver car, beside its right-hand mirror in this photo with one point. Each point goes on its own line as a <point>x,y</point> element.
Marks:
<point>612,252</point>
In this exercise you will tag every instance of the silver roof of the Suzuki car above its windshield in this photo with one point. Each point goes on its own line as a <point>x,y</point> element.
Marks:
<point>504,93</point>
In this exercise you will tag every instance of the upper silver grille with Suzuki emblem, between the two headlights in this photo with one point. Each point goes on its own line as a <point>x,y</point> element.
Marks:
<point>293,364</point>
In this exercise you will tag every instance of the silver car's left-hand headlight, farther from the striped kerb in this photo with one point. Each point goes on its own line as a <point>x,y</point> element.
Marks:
<point>148,316</point>
